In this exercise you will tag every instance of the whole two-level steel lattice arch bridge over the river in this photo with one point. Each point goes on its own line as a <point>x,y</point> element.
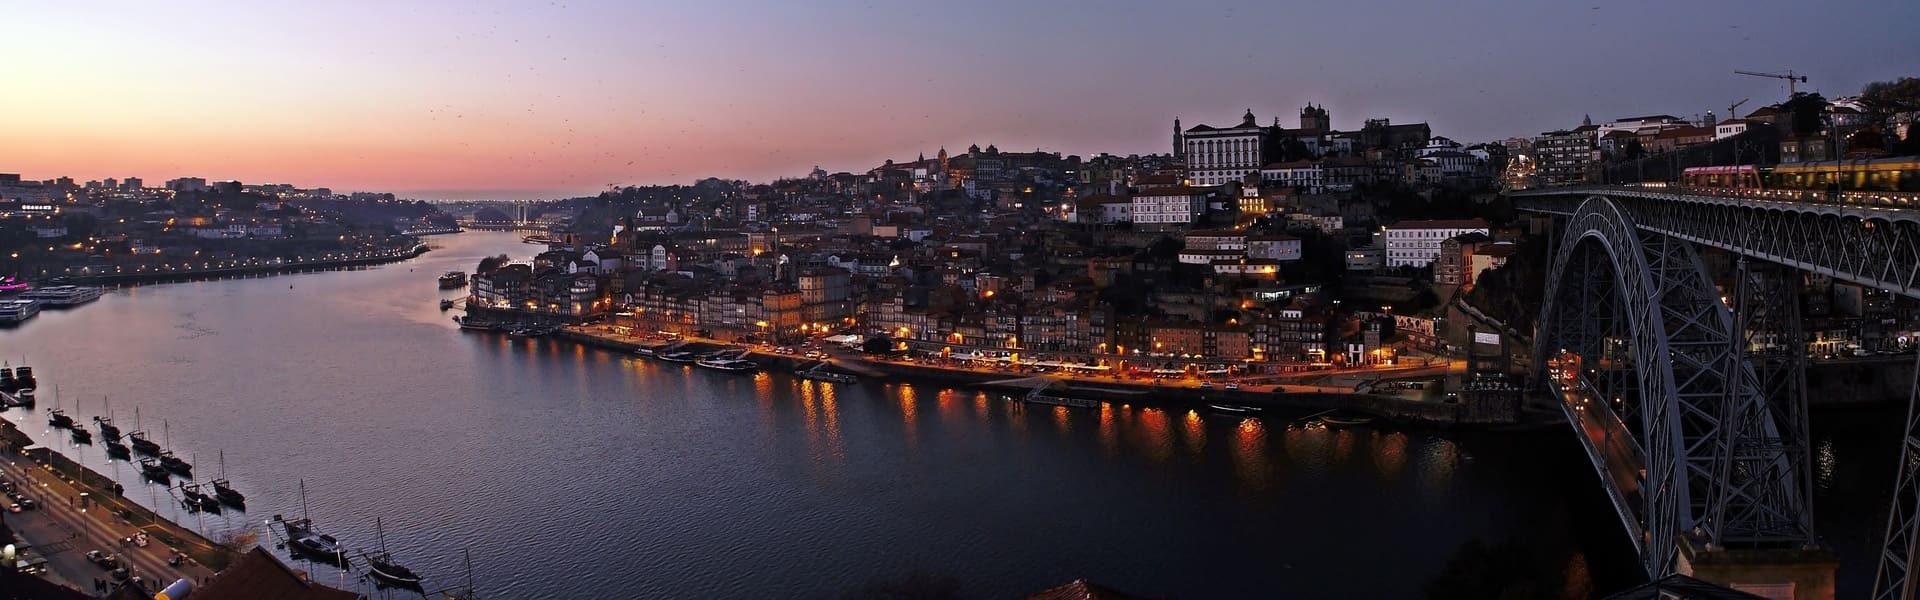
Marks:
<point>1691,403</point>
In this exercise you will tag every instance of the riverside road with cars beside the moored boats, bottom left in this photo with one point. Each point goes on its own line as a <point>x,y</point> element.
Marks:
<point>64,534</point>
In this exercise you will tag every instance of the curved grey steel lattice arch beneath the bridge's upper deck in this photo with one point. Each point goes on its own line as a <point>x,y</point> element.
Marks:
<point>1654,336</point>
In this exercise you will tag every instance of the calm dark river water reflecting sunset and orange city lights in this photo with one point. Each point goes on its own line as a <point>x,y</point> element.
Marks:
<point>581,474</point>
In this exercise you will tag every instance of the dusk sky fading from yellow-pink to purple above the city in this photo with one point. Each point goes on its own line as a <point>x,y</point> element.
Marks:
<point>496,101</point>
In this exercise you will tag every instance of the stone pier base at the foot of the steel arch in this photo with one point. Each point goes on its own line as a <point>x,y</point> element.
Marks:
<point>1794,574</point>
